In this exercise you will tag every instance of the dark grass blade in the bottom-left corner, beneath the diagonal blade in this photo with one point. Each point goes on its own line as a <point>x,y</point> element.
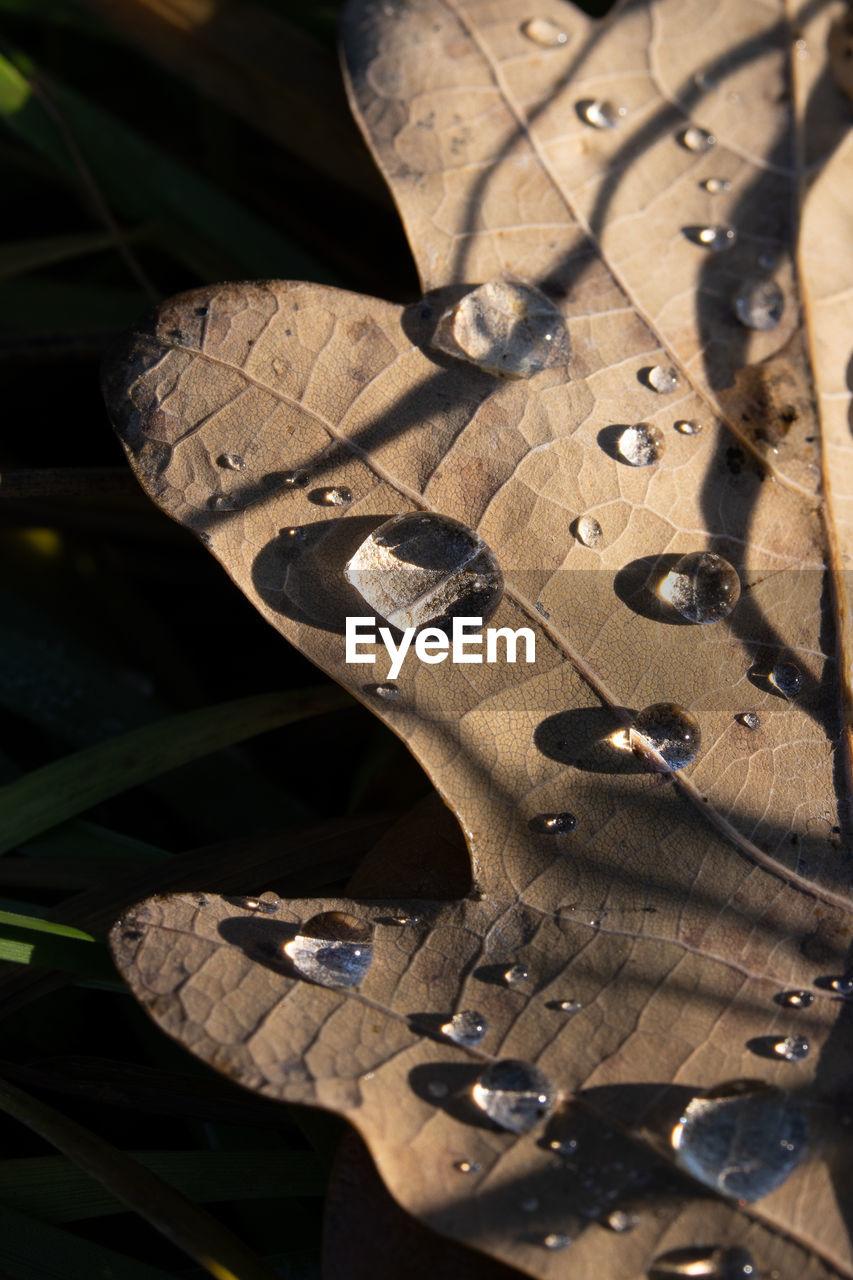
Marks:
<point>35,1251</point>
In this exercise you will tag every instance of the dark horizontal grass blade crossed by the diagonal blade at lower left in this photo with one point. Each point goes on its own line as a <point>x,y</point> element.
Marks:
<point>57,1191</point>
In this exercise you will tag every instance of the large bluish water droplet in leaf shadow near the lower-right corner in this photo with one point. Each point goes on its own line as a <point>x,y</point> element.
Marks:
<point>743,1141</point>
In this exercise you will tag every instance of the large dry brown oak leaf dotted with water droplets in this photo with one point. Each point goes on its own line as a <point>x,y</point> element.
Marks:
<point>685,907</point>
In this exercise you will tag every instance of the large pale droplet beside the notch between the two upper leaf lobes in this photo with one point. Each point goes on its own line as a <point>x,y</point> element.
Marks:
<point>507,328</point>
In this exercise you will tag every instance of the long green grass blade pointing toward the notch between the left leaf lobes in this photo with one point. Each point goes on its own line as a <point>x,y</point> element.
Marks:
<point>70,787</point>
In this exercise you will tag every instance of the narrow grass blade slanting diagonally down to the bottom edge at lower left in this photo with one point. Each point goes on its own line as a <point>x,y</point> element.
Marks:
<point>199,1235</point>
